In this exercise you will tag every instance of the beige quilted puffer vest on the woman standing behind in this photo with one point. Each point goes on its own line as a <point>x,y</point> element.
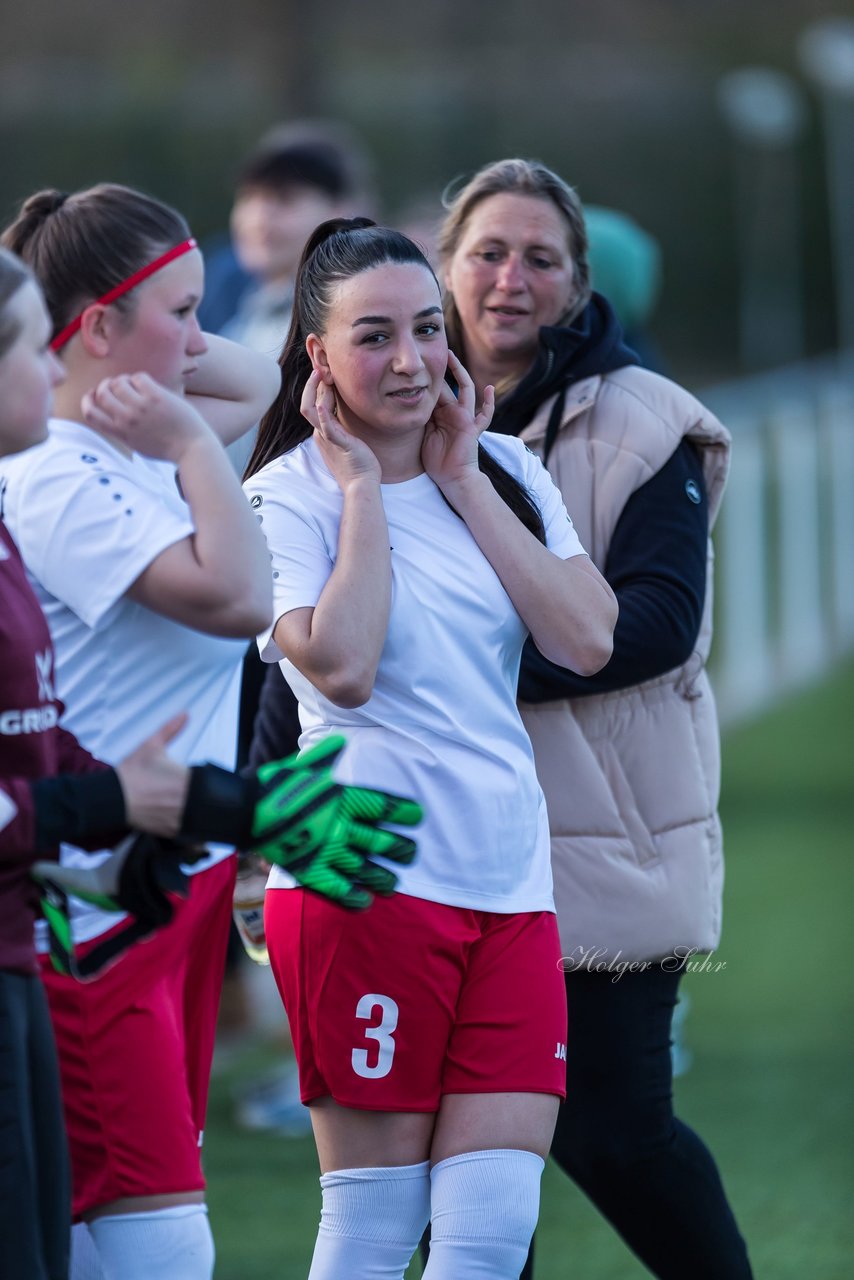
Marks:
<point>632,778</point>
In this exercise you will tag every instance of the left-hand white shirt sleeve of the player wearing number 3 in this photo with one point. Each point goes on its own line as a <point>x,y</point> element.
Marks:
<point>300,560</point>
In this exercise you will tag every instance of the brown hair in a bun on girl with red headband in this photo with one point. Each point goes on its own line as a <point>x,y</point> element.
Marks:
<point>83,246</point>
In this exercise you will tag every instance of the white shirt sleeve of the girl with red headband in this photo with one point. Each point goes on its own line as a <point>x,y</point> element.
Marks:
<point>88,529</point>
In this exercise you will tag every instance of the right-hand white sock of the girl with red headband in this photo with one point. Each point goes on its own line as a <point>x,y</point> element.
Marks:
<point>167,1244</point>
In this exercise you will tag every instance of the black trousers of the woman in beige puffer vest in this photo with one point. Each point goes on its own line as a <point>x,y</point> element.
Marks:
<point>619,1140</point>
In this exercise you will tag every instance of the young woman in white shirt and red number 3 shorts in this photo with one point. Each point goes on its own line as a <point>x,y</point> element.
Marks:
<point>410,564</point>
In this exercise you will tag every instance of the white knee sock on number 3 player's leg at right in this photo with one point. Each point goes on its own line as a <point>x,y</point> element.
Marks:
<point>485,1212</point>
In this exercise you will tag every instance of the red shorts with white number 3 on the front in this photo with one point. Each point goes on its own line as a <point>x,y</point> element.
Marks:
<point>392,1008</point>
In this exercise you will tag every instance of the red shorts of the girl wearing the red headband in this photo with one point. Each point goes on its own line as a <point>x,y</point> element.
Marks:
<point>135,1053</point>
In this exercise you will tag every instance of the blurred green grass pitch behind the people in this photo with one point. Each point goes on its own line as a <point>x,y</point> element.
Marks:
<point>771,1034</point>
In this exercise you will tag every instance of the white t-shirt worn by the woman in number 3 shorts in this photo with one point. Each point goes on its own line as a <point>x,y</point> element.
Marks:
<point>442,724</point>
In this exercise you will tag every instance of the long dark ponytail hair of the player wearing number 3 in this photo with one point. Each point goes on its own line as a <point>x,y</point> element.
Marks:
<point>339,250</point>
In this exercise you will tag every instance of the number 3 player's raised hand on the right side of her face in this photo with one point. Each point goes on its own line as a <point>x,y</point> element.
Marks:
<point>450,449</point>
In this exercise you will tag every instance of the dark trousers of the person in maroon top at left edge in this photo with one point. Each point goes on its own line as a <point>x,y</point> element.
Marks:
<point>35,1181</point>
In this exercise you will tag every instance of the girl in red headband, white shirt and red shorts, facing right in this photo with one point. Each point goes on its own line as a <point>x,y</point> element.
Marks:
<point>153,573</point>
